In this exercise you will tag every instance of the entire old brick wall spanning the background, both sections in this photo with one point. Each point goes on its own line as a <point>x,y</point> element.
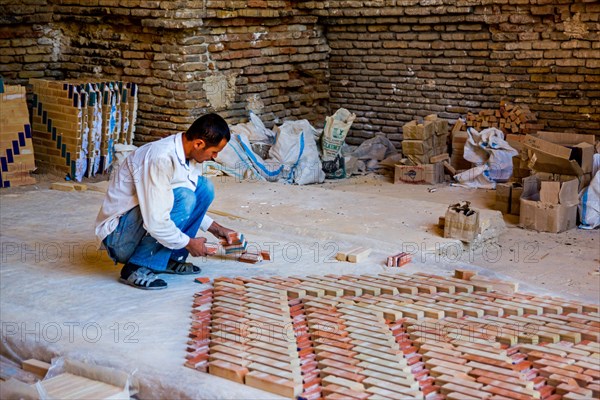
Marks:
<point>386,60</point>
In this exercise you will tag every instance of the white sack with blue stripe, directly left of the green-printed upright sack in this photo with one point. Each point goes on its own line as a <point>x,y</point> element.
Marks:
<point>296,150</point>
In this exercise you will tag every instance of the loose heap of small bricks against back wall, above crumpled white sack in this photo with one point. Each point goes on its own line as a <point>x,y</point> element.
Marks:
<point>509,118</point>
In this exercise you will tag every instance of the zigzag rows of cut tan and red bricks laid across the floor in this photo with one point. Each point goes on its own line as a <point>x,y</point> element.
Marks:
<point>395,336</point>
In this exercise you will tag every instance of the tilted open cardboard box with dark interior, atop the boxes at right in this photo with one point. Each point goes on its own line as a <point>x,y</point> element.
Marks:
<point>547,156</point>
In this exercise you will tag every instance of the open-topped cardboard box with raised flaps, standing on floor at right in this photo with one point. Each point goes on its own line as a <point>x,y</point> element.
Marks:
<point>548,217</point>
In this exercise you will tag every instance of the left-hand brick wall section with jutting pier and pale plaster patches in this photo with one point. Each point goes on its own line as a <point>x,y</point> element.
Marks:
<point>189,57</point>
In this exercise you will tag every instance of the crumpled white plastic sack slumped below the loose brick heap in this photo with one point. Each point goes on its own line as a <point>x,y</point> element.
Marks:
<point>492,156</point>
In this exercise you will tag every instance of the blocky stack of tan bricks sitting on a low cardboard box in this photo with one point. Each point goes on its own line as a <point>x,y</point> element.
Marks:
<point>424,141</point>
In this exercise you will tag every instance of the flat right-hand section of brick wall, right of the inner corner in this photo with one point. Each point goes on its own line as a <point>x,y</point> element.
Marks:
<point>394,60</point>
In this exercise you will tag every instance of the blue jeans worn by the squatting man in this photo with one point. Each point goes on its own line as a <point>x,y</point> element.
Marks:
<point>130,242</point>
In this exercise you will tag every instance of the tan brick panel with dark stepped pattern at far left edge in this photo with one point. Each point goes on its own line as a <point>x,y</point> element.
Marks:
<point>16,148</point>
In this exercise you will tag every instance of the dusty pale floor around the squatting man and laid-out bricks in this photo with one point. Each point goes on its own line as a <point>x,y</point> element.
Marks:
<point>60,297</point>
